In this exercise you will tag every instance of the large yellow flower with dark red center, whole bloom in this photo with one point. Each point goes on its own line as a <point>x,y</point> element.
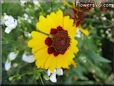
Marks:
<point>57,47</point>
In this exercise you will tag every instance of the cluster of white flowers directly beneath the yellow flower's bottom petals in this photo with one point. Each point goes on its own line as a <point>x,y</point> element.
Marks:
<point>52,76</point>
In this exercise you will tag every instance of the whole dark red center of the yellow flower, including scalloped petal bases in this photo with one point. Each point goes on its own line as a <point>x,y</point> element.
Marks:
<point>59,41</point>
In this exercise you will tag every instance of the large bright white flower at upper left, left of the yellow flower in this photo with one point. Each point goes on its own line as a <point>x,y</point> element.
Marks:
<point>9,22</point>
